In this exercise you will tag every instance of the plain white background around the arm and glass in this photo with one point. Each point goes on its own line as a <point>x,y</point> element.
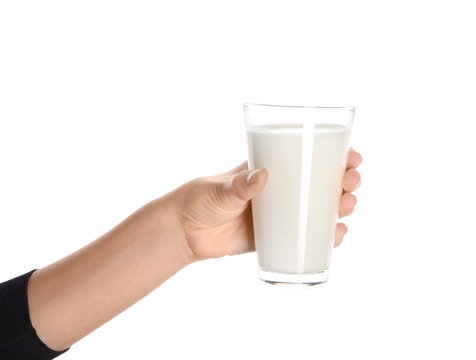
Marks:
<point>105,105</point>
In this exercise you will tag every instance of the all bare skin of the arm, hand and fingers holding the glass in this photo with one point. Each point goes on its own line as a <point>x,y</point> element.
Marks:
<point>205,218</point>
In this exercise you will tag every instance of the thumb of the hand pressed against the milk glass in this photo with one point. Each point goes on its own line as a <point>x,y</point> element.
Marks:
<point>244,186</point>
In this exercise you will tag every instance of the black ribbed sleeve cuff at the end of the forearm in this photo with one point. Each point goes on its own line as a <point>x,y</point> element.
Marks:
<point>18,339</point>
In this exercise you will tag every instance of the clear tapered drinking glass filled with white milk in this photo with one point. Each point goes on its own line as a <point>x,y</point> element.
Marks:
<point>304,149</point>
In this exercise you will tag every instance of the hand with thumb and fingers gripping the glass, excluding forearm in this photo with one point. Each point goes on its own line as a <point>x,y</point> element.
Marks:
<point>215,211</point>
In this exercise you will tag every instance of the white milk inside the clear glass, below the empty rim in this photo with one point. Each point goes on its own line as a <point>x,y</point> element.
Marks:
<point>295,215</point>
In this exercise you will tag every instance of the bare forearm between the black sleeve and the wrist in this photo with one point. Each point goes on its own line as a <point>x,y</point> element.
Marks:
<point>72,297</point>
